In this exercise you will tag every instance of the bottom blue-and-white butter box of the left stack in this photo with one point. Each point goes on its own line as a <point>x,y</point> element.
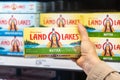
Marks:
<point>11,45</point>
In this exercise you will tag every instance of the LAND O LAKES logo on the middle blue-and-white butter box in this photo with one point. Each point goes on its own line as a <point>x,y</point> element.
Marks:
<point>13,23</point>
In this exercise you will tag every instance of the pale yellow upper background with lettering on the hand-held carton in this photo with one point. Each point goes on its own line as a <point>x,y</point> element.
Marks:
<point>44,35</point>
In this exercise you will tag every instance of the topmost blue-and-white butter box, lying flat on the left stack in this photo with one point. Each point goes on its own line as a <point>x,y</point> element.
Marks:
<point>21,7</point>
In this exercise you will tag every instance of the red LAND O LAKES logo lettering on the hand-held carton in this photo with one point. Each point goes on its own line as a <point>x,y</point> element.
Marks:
<point>52,35</point>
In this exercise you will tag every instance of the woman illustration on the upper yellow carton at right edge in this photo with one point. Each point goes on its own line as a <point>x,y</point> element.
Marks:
<point>107,25</point>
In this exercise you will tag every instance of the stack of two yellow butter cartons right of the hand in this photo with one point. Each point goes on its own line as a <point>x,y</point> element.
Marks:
<point>104,30</point>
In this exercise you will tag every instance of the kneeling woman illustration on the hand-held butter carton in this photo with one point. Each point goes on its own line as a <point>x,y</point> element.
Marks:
<point>54,42</point>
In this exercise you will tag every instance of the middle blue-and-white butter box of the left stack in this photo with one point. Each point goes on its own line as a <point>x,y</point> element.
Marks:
<point>13,24</point>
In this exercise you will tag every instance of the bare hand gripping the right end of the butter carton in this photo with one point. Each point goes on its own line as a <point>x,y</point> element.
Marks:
<point>89,56</point>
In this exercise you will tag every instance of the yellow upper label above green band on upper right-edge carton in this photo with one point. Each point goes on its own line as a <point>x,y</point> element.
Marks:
<point>102,22</point>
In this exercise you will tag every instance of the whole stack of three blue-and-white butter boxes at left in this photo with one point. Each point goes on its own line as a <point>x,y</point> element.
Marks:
<point>14,17</point>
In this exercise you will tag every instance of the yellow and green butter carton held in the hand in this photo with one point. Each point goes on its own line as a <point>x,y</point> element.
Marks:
<point>51,42</point>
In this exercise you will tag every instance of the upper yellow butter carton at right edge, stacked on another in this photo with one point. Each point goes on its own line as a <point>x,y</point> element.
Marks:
<point>102,24</point>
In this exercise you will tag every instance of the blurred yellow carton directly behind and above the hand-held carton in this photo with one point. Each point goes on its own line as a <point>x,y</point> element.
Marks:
<point>68,20</point>
